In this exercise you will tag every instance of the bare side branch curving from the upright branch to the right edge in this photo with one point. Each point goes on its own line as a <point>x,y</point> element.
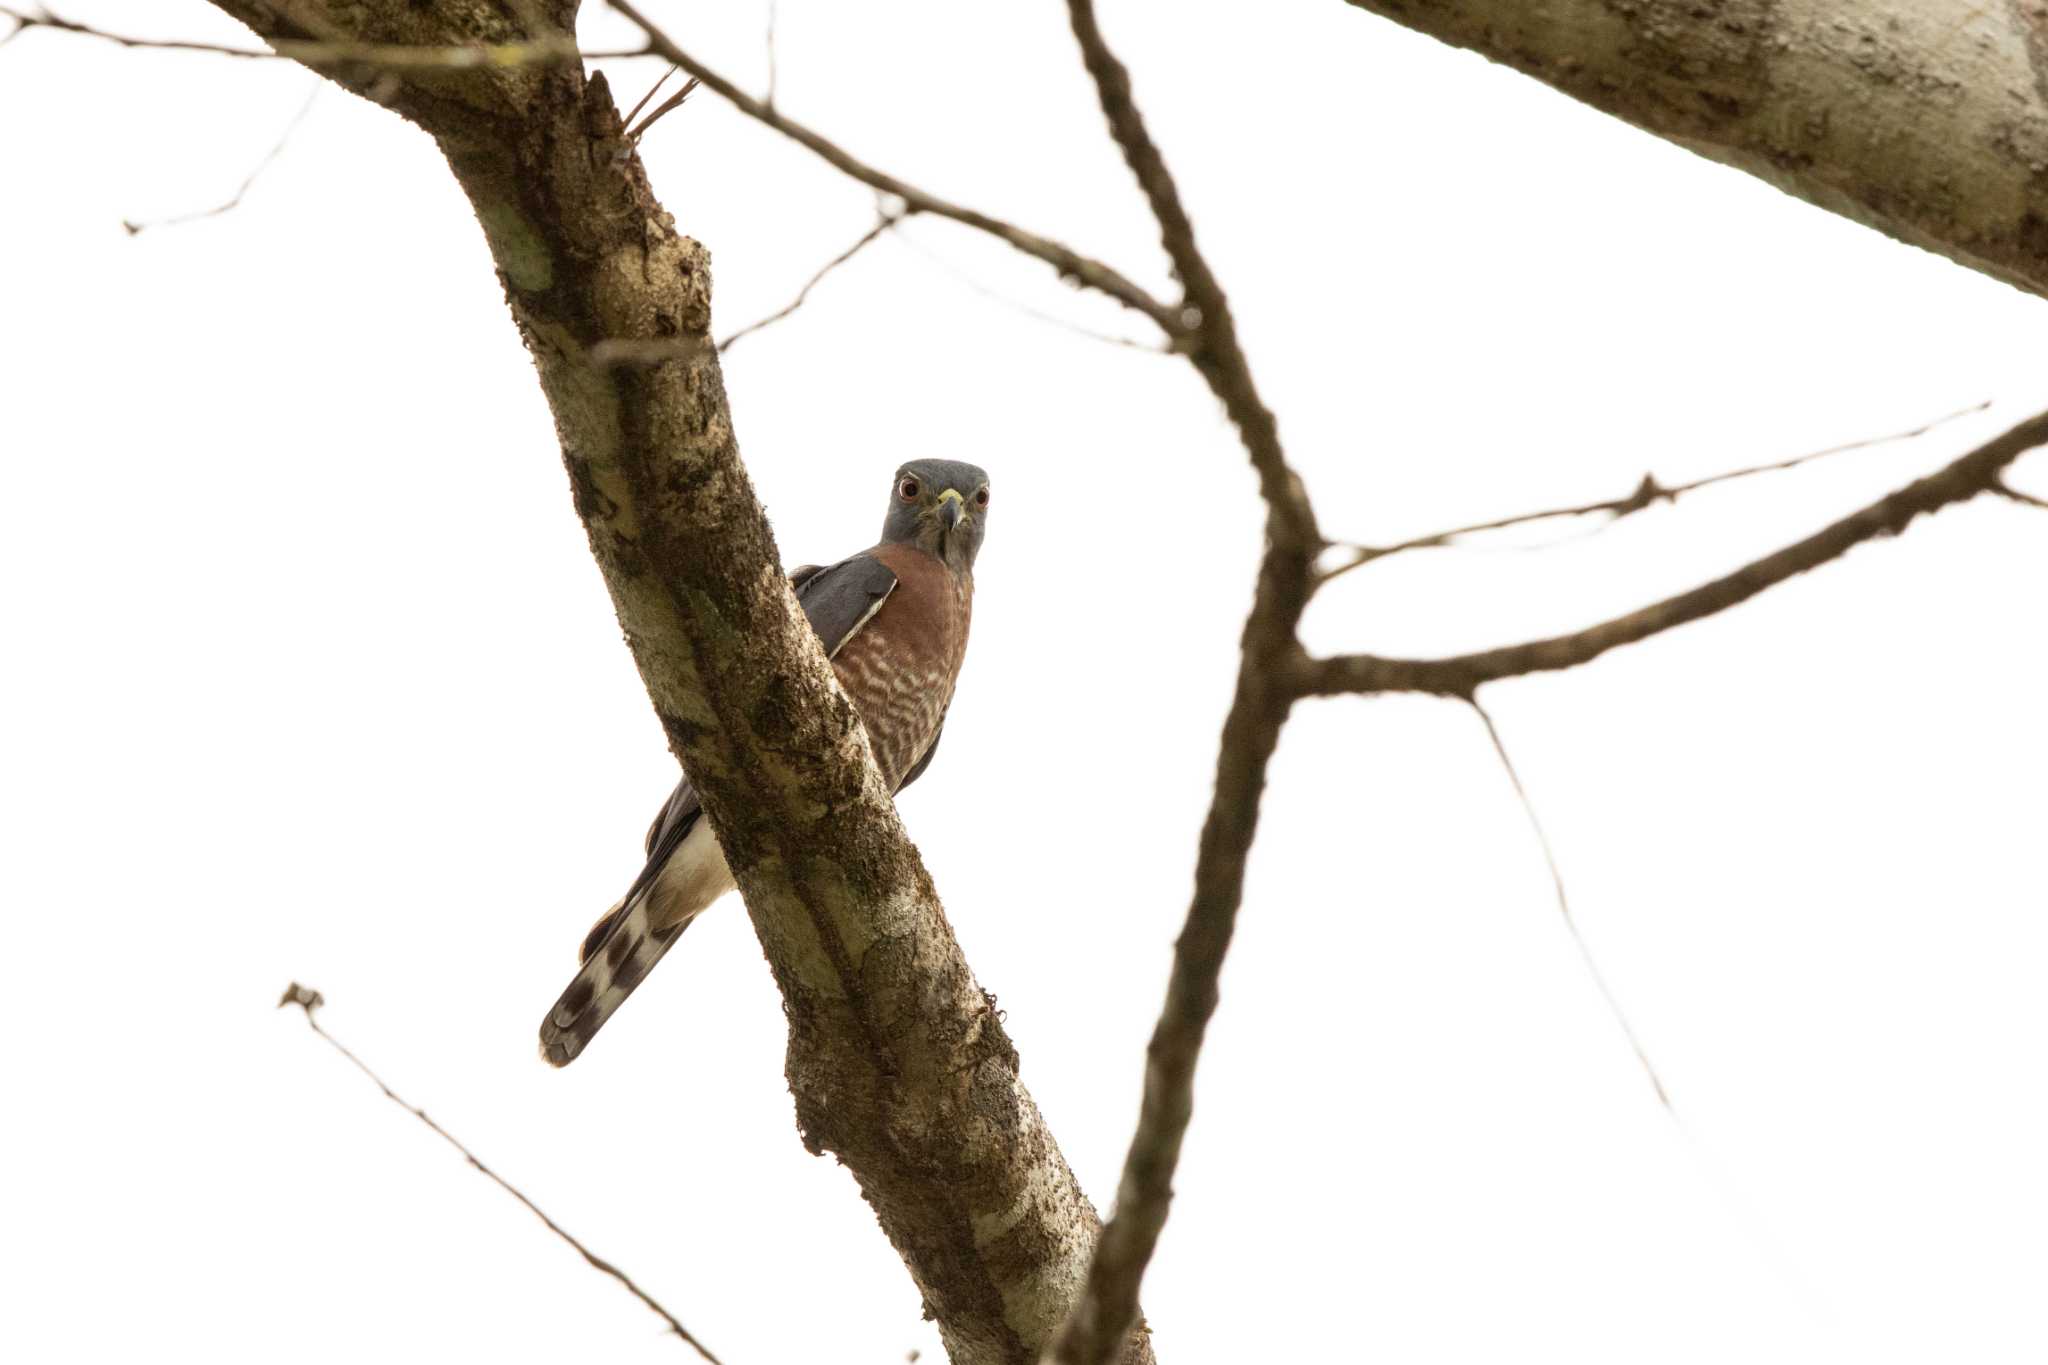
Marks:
<point>1979,472</point>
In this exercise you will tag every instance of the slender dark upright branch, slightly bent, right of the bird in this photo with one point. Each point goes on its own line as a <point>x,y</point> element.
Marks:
<point>1109,1309</point>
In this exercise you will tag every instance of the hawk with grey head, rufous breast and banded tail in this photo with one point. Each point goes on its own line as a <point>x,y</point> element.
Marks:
<point>894,623</point>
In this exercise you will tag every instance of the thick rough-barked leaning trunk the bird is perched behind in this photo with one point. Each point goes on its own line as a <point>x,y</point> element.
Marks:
<point>896,1059</point>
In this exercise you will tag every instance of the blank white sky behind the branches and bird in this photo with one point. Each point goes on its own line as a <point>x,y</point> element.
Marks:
<point>310,676</point>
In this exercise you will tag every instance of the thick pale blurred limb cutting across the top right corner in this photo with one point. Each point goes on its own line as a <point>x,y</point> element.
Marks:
<point>1926,120</point>
